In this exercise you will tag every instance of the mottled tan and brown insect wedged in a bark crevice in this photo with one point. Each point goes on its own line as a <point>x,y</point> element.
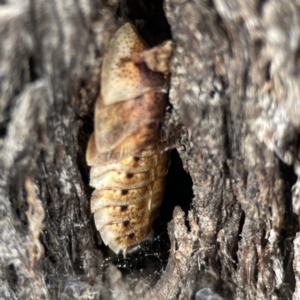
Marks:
<point>126,153</point>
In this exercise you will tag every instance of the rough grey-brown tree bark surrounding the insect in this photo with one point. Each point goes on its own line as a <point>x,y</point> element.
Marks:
<point>234,119</point>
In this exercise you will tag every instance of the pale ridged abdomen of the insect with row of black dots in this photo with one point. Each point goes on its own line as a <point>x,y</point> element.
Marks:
<point>127,197</point>
